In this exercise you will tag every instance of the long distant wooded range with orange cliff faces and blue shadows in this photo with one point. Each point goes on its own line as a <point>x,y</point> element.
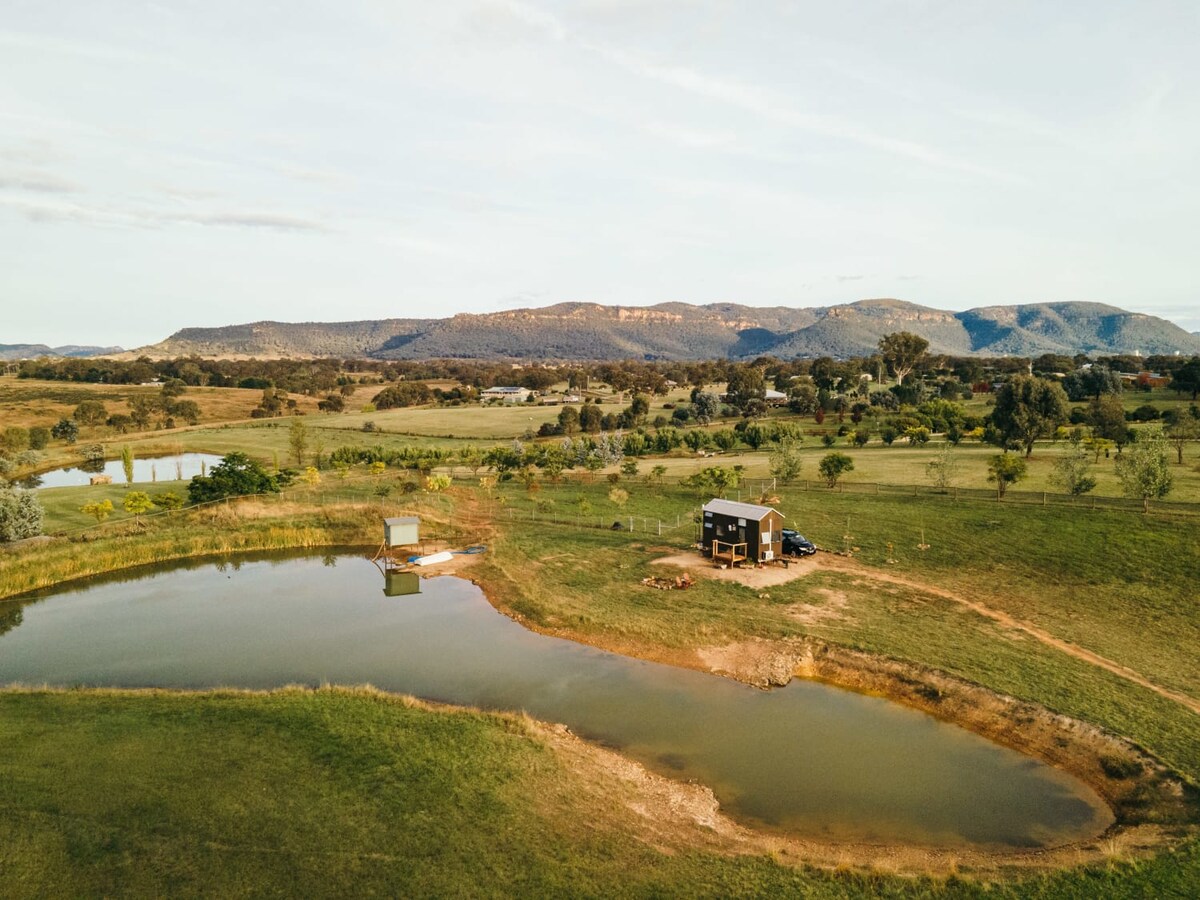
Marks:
<point>679,332</point>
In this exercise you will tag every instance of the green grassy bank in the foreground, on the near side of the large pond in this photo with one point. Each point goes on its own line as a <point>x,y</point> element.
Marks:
<point>339,793</point>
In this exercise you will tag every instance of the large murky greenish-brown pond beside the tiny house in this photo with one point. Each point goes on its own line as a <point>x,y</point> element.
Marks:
<point>811,759</point>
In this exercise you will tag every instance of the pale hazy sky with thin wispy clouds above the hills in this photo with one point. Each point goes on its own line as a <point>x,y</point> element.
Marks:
<point>203,164</point>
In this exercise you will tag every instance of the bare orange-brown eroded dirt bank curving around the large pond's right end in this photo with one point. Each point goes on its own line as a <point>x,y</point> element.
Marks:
<point>1154,808</point>
